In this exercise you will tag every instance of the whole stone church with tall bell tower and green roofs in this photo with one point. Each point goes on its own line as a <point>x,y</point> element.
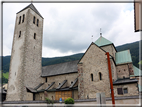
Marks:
<point>80,79</point>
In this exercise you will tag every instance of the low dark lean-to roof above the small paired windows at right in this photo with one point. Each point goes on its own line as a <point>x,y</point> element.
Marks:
<point>124,81</point>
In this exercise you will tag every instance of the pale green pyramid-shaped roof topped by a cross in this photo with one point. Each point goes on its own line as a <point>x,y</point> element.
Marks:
<point>102,41</point>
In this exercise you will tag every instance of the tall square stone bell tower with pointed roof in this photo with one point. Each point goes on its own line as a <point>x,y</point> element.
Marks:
<point>25,65</point>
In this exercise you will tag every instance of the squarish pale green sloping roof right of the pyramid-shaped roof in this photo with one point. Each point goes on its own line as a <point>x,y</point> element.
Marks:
<point>123,57</point>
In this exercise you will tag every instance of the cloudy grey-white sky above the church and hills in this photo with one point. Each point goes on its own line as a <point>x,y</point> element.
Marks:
<point>68,27</point>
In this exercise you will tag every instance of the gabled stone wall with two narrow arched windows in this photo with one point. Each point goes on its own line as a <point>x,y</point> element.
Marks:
<point>93,62</point>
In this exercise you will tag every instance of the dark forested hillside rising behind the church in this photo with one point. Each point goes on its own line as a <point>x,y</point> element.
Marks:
<point>133,47</point>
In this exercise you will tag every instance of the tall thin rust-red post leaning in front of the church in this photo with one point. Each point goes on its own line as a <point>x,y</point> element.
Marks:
<point>110,78</point>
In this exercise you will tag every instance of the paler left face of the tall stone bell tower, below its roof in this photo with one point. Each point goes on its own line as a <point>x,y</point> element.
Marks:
<point>16,74</point>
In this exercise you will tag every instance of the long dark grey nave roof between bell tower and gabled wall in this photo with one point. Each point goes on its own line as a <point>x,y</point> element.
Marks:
<point>58,69</point>
